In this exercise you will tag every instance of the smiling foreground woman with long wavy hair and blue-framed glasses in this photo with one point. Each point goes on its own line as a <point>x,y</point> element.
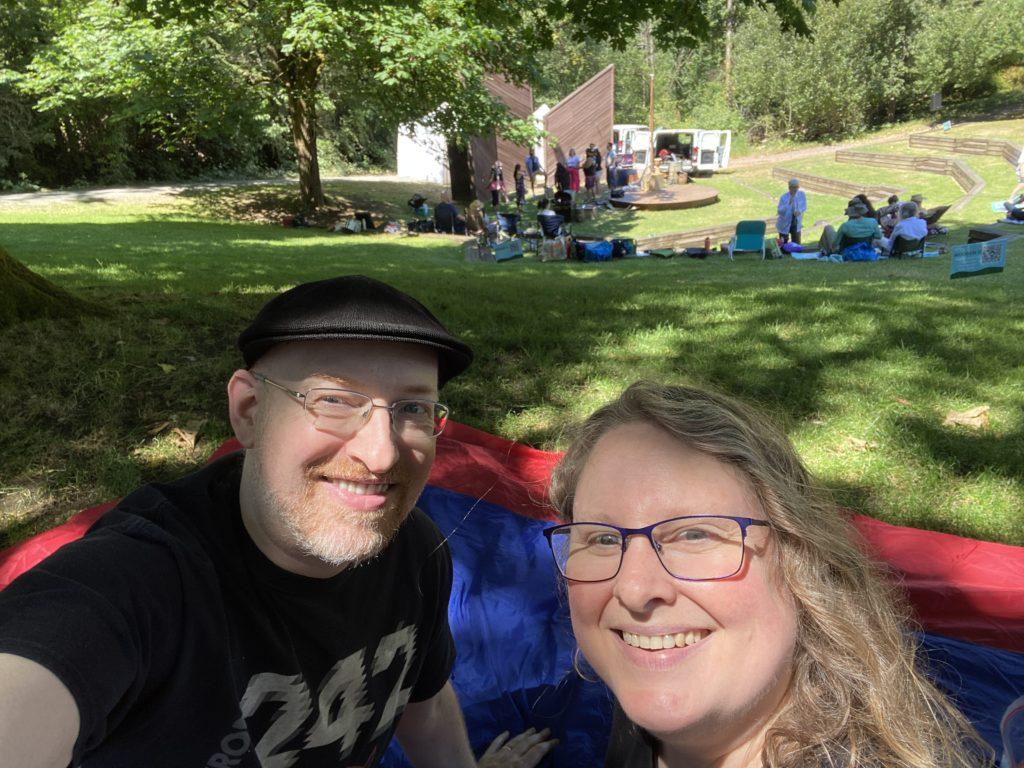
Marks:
<point>730,607</point>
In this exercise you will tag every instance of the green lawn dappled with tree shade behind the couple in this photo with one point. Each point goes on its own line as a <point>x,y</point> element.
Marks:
<point>860,363</point>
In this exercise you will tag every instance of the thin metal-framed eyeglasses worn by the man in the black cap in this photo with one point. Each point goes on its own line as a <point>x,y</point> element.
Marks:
<point>344,412</point>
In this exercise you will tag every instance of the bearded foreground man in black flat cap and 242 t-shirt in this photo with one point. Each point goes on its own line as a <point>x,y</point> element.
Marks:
<point>285,606</point>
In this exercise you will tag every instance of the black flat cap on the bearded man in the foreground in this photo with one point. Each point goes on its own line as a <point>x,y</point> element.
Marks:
<point>353,307</point>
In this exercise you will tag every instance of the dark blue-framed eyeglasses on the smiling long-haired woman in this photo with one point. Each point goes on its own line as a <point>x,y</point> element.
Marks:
<point>697,548</point>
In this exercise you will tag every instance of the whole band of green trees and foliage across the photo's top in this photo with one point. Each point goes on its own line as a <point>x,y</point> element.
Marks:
<point>105,92</point>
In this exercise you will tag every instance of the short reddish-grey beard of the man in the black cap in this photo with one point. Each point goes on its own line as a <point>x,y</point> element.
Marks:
<point>327,531</point>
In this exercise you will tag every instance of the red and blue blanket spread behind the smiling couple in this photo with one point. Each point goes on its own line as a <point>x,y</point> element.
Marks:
<point>511,626</point>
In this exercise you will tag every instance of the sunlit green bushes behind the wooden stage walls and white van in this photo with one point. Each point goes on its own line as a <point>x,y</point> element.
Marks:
<point>866,63</point>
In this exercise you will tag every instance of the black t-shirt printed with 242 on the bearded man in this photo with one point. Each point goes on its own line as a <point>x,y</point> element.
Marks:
<point>184,646</point>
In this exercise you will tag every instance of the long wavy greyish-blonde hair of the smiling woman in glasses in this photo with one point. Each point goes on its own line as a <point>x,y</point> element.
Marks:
<point>858,699</point>
